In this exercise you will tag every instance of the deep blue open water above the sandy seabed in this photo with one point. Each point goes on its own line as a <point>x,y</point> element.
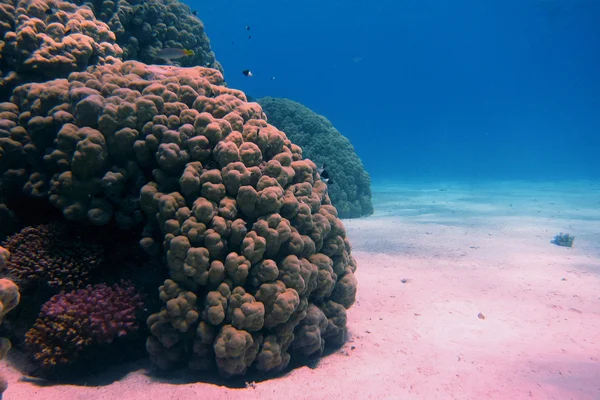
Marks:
<point>430,89</point>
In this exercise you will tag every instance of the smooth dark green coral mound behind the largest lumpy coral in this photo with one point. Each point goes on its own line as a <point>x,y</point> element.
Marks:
<point>350,192</point>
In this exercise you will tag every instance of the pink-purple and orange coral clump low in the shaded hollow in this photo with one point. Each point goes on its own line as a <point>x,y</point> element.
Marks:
<point>71,323</point>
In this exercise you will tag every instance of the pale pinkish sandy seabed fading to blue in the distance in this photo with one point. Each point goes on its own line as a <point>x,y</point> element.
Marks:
<point>461,296</point>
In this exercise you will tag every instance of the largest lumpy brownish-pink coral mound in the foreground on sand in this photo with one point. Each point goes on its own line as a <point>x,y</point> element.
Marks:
<point>259,264</point>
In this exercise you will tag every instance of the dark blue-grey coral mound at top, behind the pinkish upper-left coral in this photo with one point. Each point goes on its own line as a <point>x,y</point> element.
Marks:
<point>144,27</point>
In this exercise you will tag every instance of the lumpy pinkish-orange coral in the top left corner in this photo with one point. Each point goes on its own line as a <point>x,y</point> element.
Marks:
<point>49,39</point>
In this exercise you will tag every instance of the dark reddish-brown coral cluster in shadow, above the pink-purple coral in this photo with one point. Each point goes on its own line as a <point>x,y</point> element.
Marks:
<point>46,255</point>
